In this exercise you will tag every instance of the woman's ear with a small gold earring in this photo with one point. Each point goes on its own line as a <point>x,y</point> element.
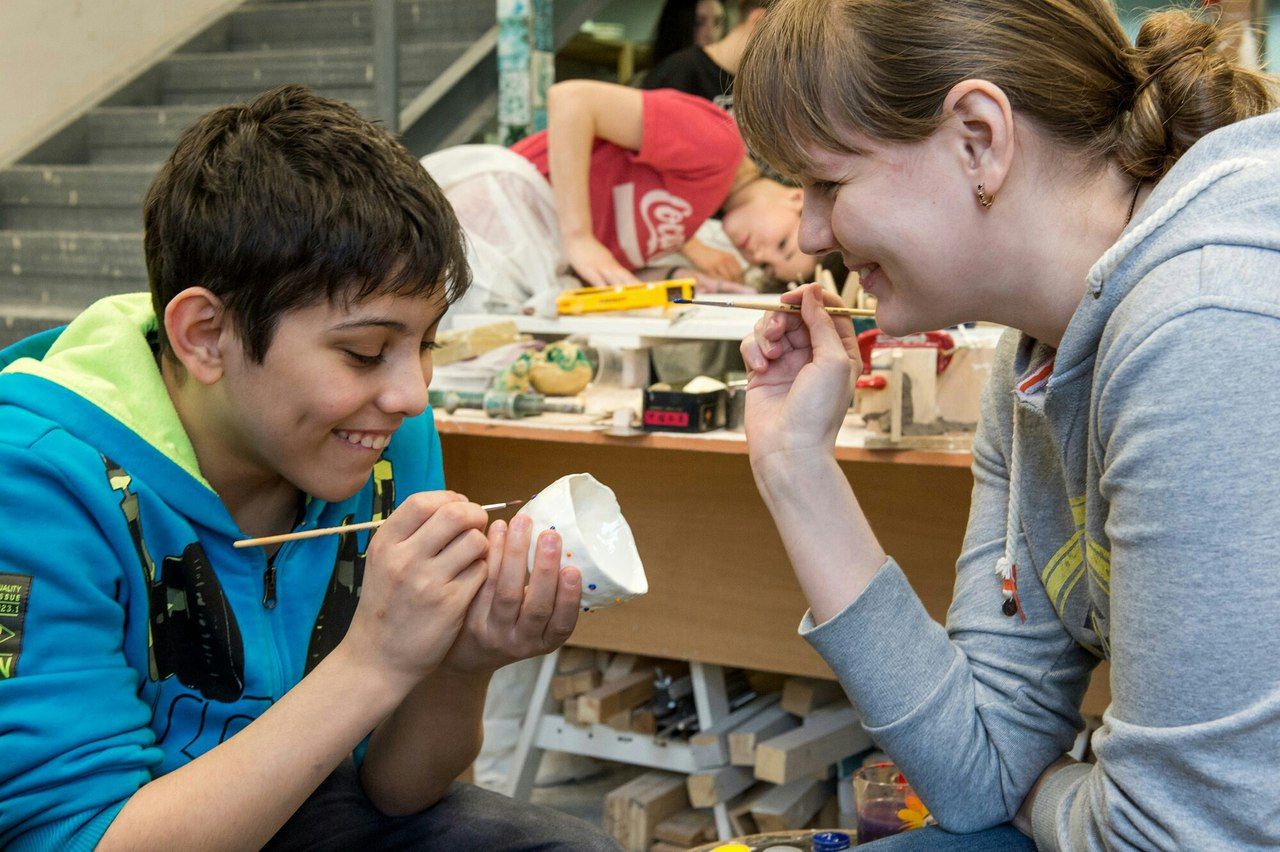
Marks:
<point>982,132</point>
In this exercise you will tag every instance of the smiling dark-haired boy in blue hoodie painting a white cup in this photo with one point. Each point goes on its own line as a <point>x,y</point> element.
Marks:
<point>161,689</point>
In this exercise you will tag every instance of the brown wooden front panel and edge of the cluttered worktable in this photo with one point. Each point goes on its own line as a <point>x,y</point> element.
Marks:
<point>721,590</point>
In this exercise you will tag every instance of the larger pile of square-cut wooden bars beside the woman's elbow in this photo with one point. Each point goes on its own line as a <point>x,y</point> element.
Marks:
<point>771,762</point>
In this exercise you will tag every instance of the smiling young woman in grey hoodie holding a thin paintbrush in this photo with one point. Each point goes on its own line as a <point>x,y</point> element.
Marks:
<point>1119,208</point>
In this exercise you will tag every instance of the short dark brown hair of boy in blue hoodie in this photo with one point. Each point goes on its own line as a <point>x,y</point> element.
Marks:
<point>290,200</point>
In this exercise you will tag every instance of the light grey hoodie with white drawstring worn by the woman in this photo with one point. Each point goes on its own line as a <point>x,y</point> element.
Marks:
<point>1146,530</point>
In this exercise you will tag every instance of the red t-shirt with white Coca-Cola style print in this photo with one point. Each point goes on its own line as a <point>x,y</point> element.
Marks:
<point>650,203</point>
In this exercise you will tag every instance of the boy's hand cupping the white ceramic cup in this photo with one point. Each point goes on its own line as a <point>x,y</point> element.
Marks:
<point>510,621</point>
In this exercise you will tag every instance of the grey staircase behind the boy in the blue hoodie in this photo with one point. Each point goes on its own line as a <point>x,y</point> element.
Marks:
<point>71,213</point>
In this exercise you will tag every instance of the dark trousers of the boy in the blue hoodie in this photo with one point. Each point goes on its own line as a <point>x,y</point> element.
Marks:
<point>340,817</point>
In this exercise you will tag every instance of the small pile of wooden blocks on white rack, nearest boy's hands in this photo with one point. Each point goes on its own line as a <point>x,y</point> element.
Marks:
<point>598,688</point>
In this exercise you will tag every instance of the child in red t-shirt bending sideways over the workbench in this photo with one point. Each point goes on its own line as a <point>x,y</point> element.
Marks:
<point>620,178</point>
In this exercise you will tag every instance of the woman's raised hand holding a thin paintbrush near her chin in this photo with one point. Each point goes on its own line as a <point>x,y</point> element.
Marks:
<point>802,370</point>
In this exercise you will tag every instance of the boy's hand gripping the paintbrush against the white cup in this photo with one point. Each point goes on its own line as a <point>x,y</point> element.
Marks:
<point>423,570</point>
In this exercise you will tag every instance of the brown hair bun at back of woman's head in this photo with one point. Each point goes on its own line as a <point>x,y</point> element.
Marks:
<point>1186,88</point>
